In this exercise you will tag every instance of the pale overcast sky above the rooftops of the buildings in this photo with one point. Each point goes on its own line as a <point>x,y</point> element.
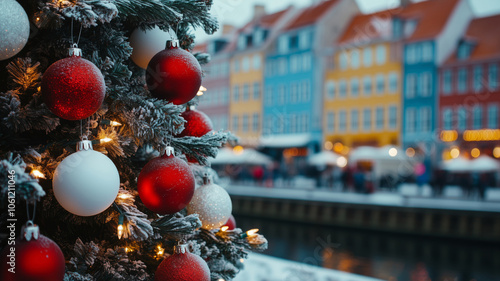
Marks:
<point>238,12</point>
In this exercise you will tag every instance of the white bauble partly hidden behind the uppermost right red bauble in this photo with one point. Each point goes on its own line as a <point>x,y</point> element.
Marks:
<point>146,44</point>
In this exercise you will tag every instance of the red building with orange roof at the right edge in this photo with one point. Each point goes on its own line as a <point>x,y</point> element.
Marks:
<point>469,99</point>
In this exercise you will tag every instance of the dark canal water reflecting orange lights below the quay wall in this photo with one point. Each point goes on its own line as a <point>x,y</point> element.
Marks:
<point>385,256</point>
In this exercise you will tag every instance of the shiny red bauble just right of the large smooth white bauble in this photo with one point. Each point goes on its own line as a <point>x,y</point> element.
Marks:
<point>166,184</point>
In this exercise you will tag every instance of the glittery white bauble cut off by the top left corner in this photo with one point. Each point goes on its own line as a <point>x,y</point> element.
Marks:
<point>14,28</point>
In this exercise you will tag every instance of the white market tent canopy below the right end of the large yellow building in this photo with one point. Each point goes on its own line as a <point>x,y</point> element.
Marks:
<point>386,160</point>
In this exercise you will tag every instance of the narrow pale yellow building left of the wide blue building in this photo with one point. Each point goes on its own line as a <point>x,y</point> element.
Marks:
<point>246,77</point>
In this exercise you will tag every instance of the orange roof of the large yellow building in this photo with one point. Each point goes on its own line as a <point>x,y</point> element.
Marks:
<point>367,27</point>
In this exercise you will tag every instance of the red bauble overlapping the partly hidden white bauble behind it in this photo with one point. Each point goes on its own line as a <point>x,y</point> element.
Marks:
<point>174,74</point>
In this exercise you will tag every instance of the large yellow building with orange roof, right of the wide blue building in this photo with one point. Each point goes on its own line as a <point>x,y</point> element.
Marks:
<point>362,88</point>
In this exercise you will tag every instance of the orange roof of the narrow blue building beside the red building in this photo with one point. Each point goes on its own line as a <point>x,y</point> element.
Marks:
<point>432,16</point>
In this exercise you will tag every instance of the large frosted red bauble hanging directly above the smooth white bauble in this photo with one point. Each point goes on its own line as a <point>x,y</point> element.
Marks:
<point>73,88</point>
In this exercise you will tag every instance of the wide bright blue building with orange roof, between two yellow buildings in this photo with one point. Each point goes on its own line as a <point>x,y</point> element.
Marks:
<point>293,79</point>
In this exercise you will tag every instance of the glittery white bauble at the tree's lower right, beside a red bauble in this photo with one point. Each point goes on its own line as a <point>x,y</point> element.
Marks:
<point>212,203</point>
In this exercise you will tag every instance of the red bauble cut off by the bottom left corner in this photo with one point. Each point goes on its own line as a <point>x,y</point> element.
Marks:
<point>38,259</point>
